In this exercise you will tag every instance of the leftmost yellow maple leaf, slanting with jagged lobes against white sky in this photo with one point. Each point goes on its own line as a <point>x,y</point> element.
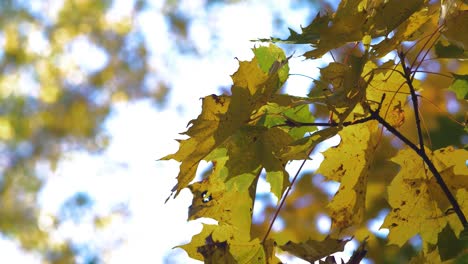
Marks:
<point>223,115</point>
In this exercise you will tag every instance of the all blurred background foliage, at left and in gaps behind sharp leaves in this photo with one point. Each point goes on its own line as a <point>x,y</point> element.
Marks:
<point>52,102</point>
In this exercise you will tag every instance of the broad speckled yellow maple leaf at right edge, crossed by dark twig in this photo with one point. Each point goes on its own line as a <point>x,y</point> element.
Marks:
<point>416,206</point>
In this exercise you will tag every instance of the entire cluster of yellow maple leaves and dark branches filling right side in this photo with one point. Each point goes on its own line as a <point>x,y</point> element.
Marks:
<point>395,93</point>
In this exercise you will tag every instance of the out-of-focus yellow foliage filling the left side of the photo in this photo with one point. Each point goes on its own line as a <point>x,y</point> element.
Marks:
<point>52,102</point>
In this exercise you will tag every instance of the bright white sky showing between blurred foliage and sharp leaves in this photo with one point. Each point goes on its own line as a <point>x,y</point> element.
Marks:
<point>128,171</point>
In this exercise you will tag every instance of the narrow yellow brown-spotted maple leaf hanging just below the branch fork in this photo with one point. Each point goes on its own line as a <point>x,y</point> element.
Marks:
<point>347,163</point>
